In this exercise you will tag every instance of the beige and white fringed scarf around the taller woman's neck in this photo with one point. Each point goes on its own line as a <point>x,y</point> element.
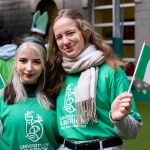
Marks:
<point>86,63</point>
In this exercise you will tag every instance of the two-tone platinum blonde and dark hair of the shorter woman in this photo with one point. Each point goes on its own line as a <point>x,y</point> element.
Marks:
<point>15,91</point>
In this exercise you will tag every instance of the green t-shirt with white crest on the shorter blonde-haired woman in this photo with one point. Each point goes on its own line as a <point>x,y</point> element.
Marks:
<point>28,126</point>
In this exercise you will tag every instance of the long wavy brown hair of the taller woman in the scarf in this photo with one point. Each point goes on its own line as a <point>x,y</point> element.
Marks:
<point>55,71</point>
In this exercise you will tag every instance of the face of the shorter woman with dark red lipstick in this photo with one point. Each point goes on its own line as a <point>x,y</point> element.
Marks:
<point>28,65</point>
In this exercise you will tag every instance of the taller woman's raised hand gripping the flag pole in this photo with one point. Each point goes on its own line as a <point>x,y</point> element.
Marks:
<point>121,106</point>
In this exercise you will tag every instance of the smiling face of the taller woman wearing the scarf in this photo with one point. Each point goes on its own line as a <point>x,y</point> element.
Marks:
<point>68,37</point>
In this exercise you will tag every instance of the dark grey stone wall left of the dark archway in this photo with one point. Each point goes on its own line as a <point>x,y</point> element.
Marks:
<point>15,16</point>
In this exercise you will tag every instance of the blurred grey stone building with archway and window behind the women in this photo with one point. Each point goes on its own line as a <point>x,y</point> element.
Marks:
<point>16,15</point>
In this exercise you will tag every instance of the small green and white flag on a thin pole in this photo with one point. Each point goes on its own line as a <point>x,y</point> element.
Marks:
<point>142,70</point>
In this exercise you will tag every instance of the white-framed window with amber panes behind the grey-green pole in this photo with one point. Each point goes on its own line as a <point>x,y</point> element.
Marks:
<point>103,23</point>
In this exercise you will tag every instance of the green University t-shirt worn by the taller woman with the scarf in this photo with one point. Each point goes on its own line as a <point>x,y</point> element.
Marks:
<point>110,85</point>
